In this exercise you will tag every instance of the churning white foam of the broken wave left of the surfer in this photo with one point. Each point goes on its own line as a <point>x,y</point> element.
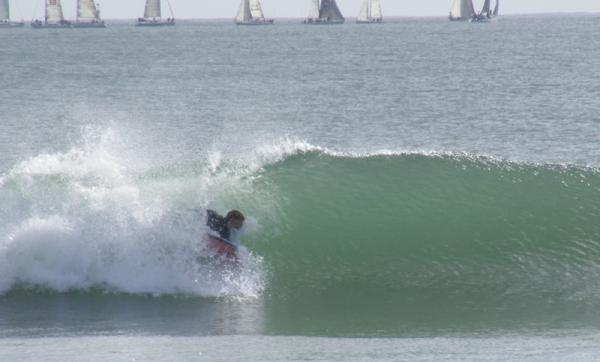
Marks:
<point>85,218</point>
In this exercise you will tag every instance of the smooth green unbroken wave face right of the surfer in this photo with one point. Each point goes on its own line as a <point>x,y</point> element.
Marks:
<point>433,229</point>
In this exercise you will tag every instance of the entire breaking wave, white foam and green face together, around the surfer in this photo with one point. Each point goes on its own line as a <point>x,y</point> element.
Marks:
<point>411,228</point>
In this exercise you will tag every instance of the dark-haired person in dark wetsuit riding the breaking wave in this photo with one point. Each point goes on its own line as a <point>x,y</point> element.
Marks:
<point>223,234</point>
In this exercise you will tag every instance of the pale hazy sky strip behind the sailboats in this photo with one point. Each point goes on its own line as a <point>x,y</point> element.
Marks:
<point>117,9</point>
